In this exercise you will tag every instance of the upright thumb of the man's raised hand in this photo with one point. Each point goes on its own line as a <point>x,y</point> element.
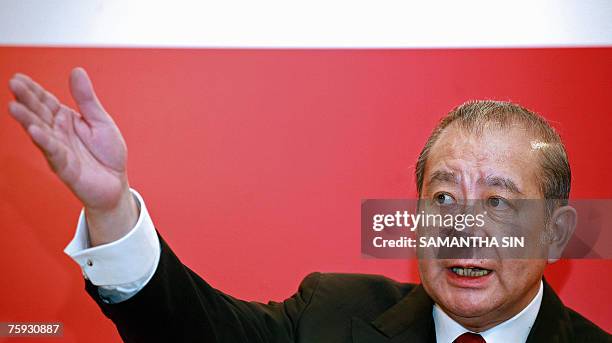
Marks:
<point>83,94</point>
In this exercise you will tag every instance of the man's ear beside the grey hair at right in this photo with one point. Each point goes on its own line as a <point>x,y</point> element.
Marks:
<point>561,228</point>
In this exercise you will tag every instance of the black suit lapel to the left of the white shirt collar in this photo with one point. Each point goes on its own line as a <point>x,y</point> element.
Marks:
<point>410,320</point>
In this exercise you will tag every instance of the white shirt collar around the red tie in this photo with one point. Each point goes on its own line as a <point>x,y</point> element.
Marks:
<point>517,327</point>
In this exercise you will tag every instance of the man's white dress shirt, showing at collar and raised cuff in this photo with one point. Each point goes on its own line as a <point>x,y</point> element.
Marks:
<point>122,268</point>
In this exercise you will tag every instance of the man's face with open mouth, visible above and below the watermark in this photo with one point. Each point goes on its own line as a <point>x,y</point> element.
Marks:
<point>468,163</point>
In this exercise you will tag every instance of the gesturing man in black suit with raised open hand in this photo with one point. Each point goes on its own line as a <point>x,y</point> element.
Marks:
<point>495,151</point>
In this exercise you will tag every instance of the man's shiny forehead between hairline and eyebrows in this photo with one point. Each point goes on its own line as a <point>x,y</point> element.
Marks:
<point>497,152</point>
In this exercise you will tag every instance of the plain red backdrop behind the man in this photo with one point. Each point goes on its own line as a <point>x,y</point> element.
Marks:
<point>253,162</point>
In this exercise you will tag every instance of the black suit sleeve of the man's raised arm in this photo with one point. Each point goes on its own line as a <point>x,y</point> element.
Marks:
<point>176,305</point>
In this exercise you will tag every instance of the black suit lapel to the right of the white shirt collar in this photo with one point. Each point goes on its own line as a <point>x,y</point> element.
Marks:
<point>552,323</point>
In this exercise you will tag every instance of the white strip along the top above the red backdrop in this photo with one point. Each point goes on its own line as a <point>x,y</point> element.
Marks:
<point>307,23</point>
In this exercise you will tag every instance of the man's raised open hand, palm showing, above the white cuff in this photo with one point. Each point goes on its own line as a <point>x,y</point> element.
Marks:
<point>85,149</point>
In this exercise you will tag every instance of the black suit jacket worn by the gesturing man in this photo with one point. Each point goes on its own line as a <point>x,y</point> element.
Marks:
<point>178,306</point>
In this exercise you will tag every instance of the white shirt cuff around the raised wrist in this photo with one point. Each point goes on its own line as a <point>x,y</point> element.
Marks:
<point>127,260</point>
